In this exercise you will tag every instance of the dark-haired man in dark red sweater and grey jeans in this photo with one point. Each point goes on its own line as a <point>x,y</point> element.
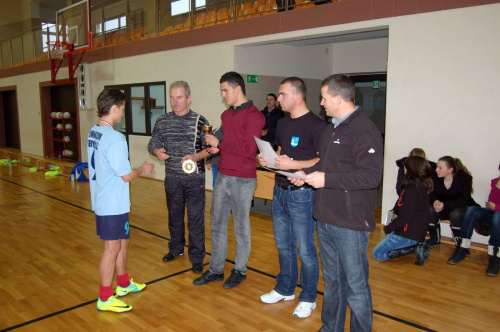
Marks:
<point>236,180</point>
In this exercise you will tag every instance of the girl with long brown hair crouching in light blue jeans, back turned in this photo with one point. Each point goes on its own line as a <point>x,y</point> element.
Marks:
<point>409,228</point>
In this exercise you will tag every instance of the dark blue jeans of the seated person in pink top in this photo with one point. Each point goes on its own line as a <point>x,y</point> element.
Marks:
<point>487,217</point>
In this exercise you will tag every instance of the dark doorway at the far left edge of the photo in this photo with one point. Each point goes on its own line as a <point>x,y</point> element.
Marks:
<point>9,120</point>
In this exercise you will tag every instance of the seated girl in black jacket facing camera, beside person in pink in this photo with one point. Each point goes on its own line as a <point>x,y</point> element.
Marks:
<point>451,198</point>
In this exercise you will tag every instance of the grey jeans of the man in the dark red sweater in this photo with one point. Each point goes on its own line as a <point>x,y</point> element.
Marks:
<point>234,194</point>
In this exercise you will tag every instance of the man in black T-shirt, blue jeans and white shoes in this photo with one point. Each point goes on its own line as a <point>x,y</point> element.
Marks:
<point>297,136</point>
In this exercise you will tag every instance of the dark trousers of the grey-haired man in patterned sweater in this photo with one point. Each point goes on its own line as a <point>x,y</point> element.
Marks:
<point>190,193</point>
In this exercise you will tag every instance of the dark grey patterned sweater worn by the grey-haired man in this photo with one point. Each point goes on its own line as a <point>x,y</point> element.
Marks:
<point>179,135</point>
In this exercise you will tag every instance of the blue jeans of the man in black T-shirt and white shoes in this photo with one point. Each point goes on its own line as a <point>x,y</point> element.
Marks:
<point>293,224</point>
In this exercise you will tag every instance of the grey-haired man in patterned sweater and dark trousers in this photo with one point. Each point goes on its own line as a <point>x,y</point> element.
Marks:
<point>177,139</point>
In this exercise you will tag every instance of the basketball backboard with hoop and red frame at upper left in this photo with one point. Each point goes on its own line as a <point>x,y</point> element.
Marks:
<point>73,37</point>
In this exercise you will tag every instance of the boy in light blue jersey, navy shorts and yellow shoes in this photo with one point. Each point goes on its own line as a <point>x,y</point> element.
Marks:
<point>109,175</point>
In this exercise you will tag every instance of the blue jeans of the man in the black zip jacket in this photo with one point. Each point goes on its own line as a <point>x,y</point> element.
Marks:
<point>345,269</point>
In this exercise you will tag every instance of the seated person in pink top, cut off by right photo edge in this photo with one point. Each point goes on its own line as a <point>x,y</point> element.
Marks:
<point>488,216</point>
